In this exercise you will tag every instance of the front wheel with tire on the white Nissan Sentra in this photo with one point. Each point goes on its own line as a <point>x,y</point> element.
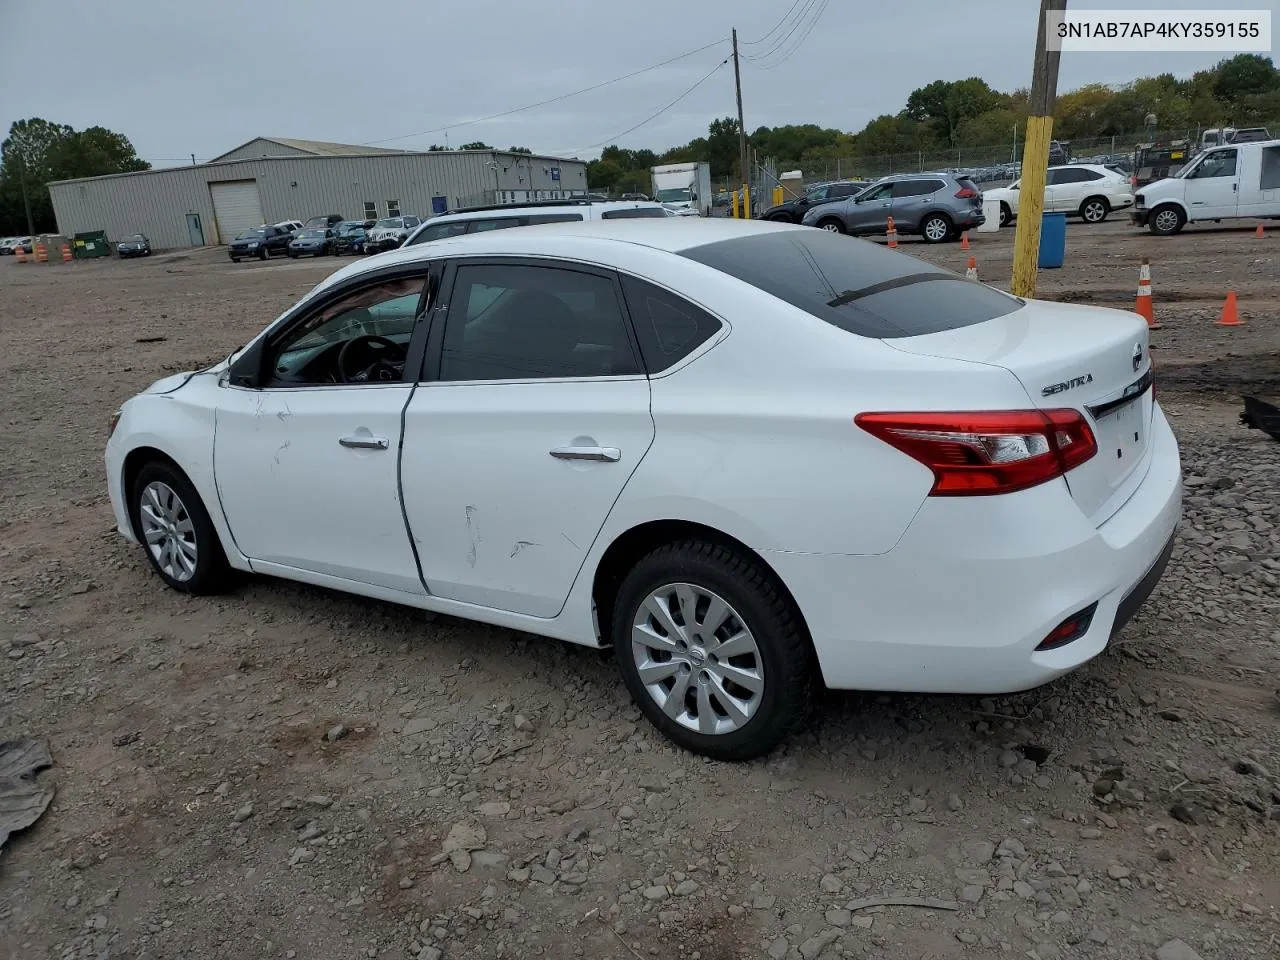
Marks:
<point>177,536</point>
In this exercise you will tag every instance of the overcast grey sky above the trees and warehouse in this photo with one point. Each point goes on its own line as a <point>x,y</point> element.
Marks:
<point>200,77</point>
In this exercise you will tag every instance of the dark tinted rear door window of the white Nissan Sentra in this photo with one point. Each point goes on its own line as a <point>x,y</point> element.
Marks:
<point>516,322</point>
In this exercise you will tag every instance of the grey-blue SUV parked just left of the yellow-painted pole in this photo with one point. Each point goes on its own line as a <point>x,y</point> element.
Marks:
<point>938,207</point>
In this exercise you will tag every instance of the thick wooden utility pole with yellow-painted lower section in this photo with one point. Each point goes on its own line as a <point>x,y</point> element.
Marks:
<point>1040,132</point>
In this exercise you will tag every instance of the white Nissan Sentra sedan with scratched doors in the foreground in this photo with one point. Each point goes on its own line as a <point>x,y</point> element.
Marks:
<point>751,458</point>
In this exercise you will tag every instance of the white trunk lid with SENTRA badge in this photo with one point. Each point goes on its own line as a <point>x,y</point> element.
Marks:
<point>1071,356</point>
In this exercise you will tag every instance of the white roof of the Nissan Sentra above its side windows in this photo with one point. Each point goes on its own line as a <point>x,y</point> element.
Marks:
<point>572,240</point>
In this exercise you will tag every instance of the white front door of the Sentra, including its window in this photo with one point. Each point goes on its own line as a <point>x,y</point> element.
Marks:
<point>305,454</point>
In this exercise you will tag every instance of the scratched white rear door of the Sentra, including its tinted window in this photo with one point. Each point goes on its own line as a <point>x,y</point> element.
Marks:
<point>533,418</point>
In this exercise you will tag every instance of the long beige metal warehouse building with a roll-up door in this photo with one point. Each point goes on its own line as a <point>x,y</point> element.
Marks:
<point>271,180</point>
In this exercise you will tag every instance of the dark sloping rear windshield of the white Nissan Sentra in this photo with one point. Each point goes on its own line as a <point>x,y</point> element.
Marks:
<point>857,286</point>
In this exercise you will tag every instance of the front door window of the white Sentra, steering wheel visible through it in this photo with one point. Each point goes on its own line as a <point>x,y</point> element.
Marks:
<point>359,339</point>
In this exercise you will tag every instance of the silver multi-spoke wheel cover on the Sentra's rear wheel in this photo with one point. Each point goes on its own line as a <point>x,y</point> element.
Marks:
<point>698,660</point>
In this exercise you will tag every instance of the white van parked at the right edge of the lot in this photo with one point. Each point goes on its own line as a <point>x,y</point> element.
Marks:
<point>1224,184</point>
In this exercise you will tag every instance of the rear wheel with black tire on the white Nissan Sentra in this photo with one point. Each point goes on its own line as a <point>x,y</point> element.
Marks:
<point>712,651</point>
